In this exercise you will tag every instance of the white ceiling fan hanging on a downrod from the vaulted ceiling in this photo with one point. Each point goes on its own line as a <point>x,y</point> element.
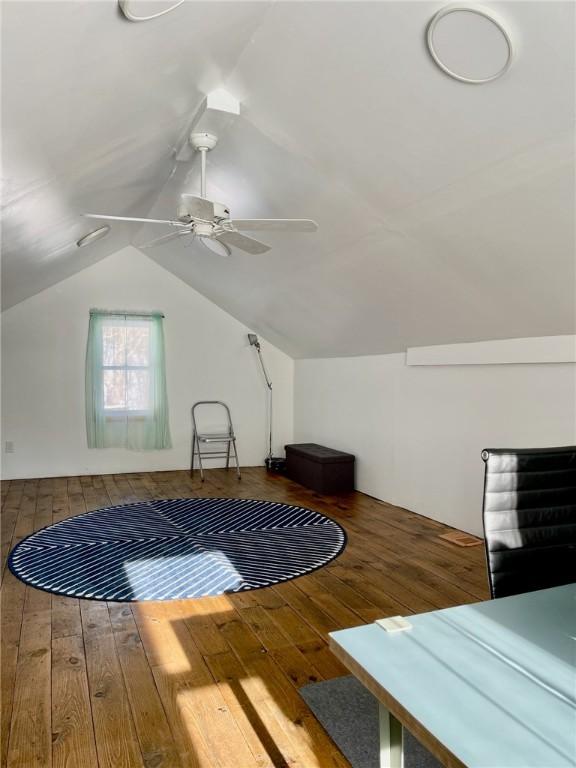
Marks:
<point>209,222</point>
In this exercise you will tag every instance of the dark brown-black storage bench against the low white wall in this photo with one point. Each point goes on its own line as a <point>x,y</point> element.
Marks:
<point>322,469</point>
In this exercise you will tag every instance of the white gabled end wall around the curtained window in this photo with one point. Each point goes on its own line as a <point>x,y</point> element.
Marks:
<point>43,354</point>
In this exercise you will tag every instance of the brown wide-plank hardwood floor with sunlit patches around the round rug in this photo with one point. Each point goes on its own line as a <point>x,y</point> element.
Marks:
<point>211,682</point>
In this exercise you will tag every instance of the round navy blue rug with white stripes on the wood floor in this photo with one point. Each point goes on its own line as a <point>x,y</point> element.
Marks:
<point>176,548</point>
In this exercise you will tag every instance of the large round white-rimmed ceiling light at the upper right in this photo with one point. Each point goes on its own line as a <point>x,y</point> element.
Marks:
<point>469,44</point>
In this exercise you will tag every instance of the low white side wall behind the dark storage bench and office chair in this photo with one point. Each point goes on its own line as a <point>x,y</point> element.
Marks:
<point>417,432</point>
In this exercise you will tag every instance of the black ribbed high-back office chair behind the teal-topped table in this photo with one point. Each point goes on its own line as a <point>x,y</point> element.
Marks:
<point>529,518</point>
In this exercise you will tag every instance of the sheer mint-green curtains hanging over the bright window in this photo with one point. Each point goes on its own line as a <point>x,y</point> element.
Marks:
<point>147,426</point>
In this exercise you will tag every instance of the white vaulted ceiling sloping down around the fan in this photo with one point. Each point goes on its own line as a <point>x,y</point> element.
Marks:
<point>446,210</point>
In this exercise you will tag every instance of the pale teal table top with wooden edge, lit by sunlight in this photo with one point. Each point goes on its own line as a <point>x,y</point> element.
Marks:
<point>494,682</point>
